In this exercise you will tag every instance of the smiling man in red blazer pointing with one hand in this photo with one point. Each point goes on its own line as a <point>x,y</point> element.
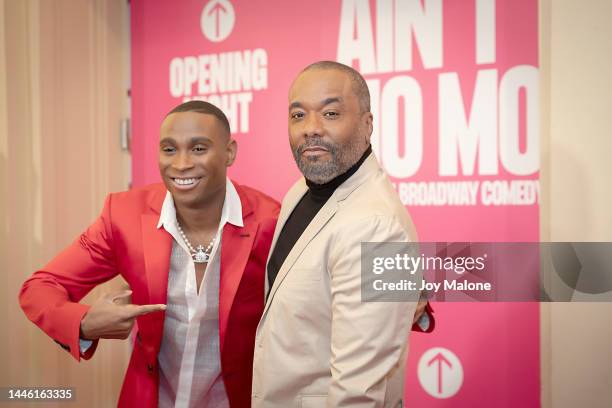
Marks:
<point>193,251</point>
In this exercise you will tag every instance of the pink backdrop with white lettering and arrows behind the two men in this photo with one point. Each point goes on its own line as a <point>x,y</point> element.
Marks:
<point>454,88</point>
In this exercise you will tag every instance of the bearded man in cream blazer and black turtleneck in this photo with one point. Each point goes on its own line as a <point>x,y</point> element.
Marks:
<point>318,344</point>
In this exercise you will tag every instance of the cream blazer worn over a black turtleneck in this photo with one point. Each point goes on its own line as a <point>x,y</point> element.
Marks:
<point>317,344</point>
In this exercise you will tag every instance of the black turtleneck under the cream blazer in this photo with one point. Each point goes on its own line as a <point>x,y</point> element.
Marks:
<point>316,196</point>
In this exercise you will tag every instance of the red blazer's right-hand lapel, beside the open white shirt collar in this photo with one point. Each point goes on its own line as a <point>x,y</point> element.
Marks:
<point>236,245</point>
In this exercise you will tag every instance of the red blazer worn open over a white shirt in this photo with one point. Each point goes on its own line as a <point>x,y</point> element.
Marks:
<point>125,240</point>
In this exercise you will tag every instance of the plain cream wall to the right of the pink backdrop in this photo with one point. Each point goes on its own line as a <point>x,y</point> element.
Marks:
<point>576,176</point>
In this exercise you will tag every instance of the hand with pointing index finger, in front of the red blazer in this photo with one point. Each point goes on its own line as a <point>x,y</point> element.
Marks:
<point>112,316</point>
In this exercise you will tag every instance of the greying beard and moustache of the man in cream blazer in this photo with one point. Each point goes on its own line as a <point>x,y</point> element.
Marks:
<point>321,170</point>
